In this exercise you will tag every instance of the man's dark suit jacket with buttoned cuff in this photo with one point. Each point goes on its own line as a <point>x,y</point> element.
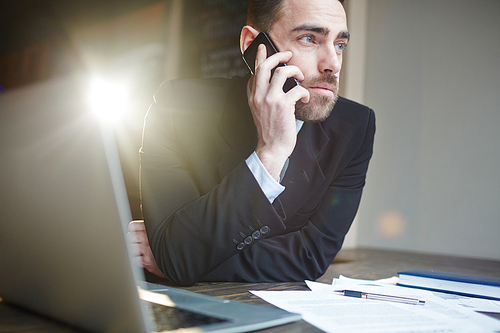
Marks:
<point>207,218</point>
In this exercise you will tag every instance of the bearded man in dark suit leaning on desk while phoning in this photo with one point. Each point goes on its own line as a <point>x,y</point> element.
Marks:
<point>241,181</point>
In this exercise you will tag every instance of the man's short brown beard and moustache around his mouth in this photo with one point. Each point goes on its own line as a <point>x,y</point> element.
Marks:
<point>319,107</point>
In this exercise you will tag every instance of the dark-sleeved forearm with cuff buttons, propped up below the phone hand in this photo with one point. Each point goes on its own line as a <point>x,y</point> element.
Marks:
<point>196,238</point>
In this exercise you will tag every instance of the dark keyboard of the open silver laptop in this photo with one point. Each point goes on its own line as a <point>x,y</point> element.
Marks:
<point>171,318</point>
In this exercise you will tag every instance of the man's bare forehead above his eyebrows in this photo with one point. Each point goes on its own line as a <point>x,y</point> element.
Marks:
<point>324,13</point>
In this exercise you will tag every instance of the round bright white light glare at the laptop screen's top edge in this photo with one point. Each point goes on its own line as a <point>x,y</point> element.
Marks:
<point>108,100</point>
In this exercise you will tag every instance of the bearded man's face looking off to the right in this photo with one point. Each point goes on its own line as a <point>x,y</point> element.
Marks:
<point>316,33</point>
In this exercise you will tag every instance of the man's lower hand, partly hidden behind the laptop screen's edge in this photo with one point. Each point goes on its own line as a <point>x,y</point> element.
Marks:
<point>139,243</point>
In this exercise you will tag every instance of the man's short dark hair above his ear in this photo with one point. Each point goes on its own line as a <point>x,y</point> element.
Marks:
<point>262,14</point>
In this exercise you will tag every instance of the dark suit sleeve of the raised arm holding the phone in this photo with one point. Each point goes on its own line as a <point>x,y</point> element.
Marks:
<point>191,232</point>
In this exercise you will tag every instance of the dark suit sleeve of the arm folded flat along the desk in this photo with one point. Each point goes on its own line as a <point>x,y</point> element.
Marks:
<point>307,252</point>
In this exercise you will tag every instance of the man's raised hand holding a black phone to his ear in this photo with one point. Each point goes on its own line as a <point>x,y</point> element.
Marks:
<point>273,111</point>
